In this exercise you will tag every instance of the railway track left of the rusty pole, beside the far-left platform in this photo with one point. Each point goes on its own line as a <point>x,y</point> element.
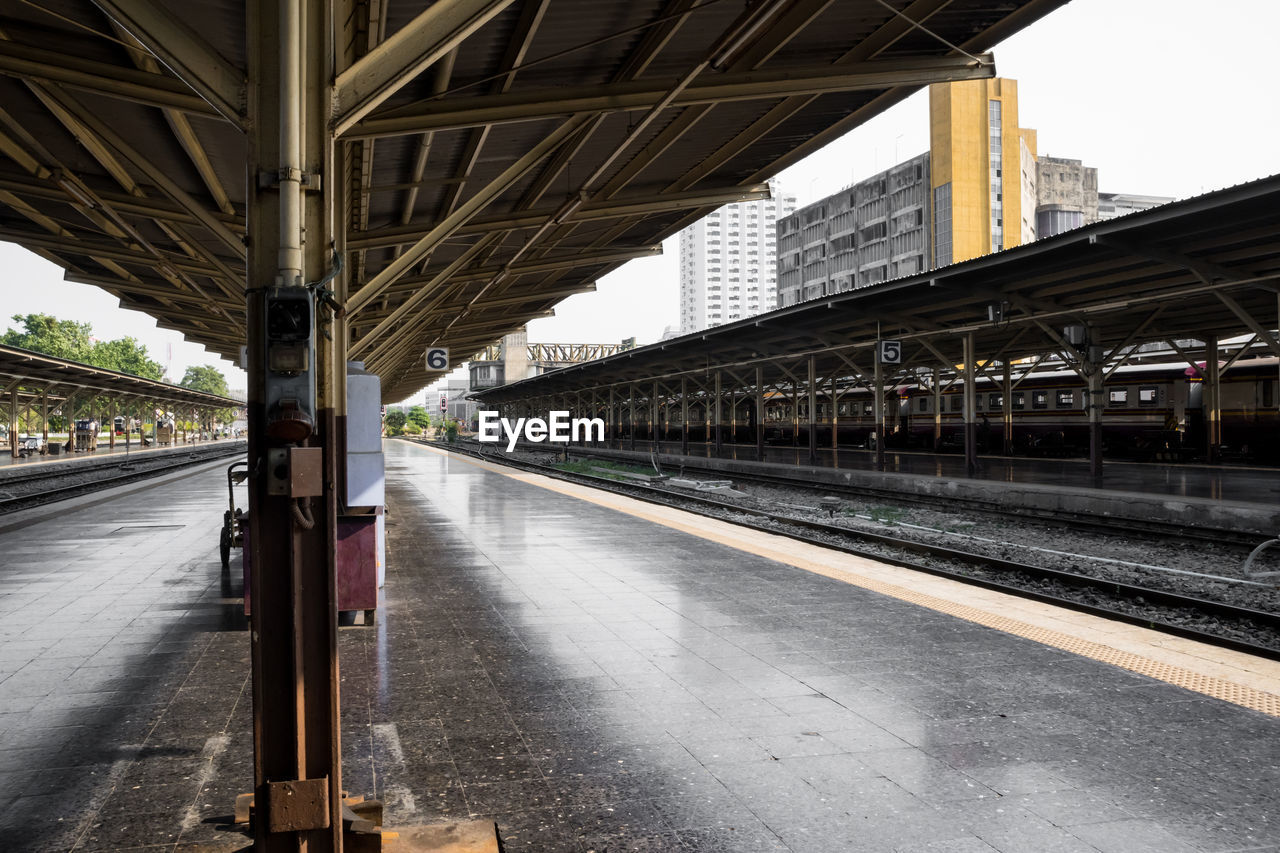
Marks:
<point>42,487</point>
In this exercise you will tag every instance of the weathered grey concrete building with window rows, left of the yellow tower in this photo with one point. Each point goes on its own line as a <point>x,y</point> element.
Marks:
<point>871,232</point>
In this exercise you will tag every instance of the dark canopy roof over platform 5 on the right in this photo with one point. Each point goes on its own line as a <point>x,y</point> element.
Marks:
<point>1204,267</point>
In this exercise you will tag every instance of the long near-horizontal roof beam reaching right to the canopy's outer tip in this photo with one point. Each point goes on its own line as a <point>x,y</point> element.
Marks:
<point>644,94</point>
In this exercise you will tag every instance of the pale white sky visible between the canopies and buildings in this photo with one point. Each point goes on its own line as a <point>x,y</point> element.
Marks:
<point>1168,98</point>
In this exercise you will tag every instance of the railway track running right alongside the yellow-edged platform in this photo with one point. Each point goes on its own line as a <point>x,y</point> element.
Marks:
<point>1218,623</point>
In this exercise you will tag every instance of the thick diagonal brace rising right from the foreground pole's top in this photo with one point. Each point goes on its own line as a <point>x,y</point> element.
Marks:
<point>397,61</point>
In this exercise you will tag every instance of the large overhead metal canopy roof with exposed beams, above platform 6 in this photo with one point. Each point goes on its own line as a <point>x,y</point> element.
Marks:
<point>501,154</point>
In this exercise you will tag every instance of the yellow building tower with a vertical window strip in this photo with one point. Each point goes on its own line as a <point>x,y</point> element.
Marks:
<point>982,170</point>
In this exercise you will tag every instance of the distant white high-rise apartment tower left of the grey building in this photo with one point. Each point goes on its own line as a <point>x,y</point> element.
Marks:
<point>729,263</point>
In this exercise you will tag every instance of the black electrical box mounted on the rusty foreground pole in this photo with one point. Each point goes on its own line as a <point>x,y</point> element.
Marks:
<point>291,355</point>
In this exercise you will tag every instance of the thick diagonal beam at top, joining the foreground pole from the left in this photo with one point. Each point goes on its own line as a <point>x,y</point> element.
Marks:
<point>185,53</point>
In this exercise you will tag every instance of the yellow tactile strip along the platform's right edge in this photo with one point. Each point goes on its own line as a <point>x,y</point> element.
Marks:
<point>1209,686</point>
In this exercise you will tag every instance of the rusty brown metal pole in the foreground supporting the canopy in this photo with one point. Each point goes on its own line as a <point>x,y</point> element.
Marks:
<point>292,240</point>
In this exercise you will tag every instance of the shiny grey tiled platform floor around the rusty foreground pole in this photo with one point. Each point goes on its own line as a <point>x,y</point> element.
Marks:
<point>598,674</point>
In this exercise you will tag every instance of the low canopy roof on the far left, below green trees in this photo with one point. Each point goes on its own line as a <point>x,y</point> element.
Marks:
<point>34,373</point>
